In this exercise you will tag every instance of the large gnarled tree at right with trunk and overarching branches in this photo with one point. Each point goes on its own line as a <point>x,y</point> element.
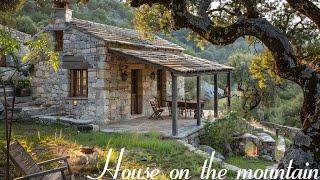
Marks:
<point>222,22</point>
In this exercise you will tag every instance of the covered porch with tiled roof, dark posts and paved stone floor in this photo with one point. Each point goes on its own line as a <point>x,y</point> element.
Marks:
<point>178,64</point>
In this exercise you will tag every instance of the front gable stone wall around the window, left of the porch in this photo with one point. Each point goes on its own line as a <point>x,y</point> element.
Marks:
<point>53,87</point>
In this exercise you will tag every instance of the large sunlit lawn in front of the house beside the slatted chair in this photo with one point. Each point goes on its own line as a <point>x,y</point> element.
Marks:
<point>46,141</point>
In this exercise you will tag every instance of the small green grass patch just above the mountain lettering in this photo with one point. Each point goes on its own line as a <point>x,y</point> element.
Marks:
<point>248,163</point>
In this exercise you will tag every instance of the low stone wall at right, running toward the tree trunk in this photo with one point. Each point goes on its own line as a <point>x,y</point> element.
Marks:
<point>286,131</point>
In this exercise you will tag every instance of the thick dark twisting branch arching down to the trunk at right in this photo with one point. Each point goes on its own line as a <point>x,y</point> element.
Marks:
<point>286,64</point>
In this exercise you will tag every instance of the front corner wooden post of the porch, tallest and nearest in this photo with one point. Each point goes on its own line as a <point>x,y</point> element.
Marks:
<point>174,105</point>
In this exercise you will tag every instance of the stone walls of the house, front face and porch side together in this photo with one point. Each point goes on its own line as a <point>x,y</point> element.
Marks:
<point>109,97</point>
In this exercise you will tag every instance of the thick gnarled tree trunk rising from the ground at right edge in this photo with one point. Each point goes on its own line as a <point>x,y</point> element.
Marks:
<point>305,150</point>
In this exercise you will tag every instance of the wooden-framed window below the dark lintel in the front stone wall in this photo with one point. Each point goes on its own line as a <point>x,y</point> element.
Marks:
<point>78,83</point>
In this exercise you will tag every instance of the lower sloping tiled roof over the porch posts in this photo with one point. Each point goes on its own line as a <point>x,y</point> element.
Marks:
<point>177,63</point>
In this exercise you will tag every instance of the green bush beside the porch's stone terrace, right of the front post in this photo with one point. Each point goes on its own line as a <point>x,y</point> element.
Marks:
<point>220,133</point>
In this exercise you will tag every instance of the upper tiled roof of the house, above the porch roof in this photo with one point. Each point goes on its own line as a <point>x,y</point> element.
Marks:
<point>121,35</point>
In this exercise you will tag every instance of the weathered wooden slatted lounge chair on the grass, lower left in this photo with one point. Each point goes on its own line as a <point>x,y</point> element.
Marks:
<point>32,170</point>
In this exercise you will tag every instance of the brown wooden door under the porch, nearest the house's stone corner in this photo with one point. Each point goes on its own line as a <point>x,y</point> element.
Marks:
<point>136,92</point>
